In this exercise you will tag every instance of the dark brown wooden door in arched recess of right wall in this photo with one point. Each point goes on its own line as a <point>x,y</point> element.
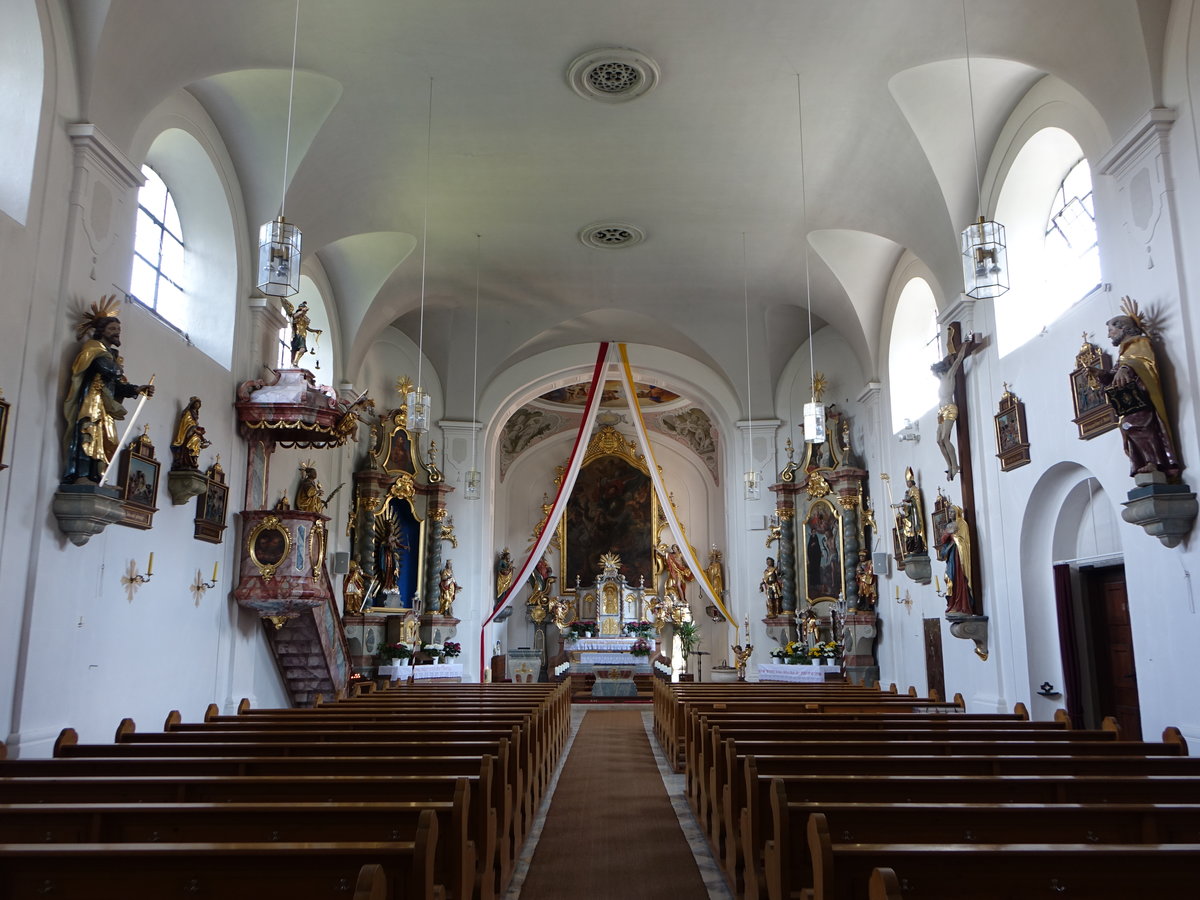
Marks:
<point>1112,645</point>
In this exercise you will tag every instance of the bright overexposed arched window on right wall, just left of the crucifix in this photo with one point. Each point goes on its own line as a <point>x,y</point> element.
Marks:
<point>913,352</point>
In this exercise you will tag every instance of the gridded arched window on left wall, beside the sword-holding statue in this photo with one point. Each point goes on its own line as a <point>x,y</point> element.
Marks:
<point>158,279</point>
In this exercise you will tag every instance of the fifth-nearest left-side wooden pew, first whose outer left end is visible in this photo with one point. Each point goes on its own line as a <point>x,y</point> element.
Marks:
<point>512,770</point>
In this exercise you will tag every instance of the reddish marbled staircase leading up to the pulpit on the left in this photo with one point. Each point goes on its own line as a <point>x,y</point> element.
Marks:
<point>313,653</point>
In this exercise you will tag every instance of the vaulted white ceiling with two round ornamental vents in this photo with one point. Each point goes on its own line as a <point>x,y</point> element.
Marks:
<point>706,164</point>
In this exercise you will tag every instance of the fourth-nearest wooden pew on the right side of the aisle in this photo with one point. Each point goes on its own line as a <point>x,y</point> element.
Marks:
<point>946,789</point>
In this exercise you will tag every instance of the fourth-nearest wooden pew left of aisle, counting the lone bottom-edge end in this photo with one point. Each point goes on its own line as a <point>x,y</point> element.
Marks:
<point>493,872</point>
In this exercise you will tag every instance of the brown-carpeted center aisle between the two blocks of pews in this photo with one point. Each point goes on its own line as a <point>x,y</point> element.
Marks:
<point>611,831</point>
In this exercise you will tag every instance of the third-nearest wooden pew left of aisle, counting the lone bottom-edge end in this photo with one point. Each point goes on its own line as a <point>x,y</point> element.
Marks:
<point>454,865</point>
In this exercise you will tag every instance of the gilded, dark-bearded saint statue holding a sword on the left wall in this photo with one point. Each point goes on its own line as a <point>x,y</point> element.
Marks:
<point>93,404</point>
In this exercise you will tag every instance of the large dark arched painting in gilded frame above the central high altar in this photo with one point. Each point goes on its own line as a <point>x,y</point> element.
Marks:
<point>613,511</point>
